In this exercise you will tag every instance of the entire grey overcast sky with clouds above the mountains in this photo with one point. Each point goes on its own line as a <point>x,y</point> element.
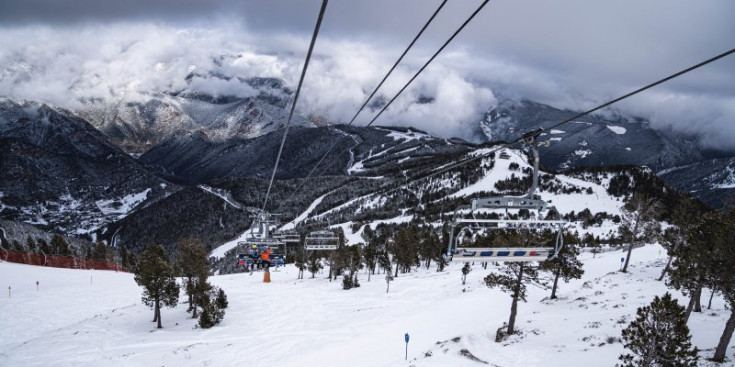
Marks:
<point>567,53</point>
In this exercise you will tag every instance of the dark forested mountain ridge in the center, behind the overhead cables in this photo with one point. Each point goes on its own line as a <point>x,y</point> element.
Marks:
<point>197,158</point>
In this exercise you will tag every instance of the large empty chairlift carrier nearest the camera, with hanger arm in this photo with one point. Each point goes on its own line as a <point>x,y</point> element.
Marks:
<point>473,225</point>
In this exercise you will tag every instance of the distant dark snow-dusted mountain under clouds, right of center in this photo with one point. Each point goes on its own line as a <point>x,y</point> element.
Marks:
<point>593,140</point>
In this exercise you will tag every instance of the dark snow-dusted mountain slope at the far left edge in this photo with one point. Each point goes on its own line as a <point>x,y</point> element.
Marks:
<point>62,174</point>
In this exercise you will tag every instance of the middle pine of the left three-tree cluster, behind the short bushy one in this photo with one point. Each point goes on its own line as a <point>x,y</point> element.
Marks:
<point>194,266</point>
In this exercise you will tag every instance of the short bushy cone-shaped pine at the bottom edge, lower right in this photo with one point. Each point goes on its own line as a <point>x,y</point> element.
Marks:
<point>659,337</point>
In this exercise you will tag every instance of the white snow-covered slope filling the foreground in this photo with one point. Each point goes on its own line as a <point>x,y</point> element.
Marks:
<point>91,318</point>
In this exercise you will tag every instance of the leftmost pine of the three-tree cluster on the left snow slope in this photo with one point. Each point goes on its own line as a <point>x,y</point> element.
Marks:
<point>157,277</point>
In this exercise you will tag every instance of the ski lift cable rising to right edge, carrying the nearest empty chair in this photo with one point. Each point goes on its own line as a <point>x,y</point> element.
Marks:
<point>541,129</point>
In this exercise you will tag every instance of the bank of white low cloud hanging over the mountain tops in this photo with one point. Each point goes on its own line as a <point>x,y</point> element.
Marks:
<point>66,64</point>
